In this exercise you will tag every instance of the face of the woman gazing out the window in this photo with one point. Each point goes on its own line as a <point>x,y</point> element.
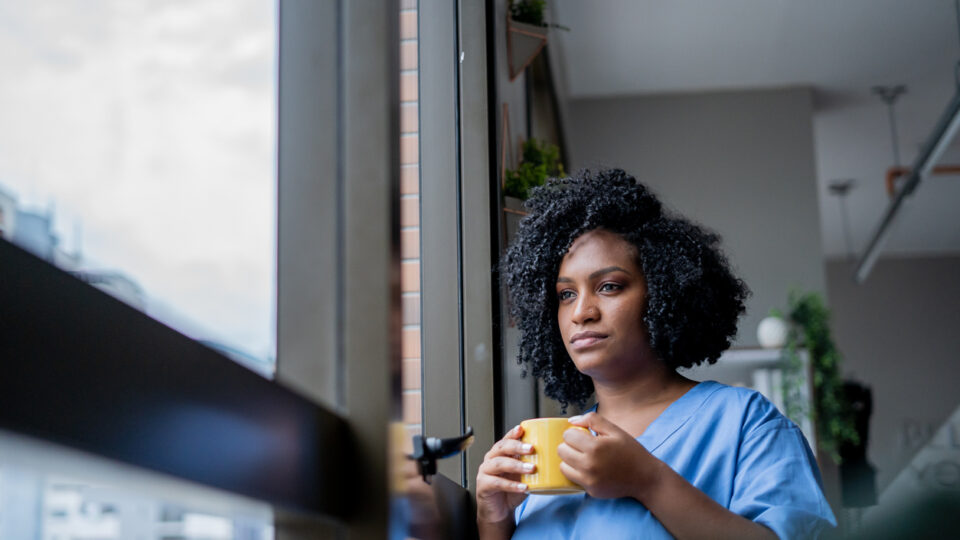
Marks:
<point>602,294</point>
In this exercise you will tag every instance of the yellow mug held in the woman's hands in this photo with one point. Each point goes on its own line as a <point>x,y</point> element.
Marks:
<point>546,434</point>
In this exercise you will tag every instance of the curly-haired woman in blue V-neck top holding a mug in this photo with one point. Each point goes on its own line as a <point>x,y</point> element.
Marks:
<point>612,294</point>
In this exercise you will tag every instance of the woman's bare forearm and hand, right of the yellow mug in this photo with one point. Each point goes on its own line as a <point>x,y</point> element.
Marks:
<point>613,464</point>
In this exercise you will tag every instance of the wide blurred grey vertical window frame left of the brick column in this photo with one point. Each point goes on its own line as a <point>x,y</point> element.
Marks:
<point>339,323</point>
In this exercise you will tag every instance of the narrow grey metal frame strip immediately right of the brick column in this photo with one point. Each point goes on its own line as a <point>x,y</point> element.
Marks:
<point>440,271</point>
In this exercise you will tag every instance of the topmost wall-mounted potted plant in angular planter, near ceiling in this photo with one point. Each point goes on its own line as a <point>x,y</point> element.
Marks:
<point>526,33</point>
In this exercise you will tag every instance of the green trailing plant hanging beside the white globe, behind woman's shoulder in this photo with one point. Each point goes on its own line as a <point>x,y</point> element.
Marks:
<point>810,330</point>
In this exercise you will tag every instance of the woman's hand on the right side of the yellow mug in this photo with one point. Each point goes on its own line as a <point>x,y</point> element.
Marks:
<point>610,465</point>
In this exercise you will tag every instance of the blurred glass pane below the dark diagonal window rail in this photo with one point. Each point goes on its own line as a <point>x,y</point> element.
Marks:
<point>51,493</point>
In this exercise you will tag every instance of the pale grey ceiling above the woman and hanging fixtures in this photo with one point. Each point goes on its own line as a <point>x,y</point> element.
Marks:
<point>838,48</point>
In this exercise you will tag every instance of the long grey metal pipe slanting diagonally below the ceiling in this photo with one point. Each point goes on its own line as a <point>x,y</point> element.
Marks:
<point>929,154</point>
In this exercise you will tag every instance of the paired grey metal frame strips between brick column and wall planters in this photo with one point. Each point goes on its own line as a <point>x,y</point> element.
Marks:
<point>457,230</point>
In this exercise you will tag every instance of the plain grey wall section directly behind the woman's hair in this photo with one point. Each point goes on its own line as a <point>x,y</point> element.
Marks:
<point>741,163</point>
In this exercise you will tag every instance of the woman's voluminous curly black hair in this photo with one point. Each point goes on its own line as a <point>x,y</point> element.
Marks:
<point>693,297</point>
